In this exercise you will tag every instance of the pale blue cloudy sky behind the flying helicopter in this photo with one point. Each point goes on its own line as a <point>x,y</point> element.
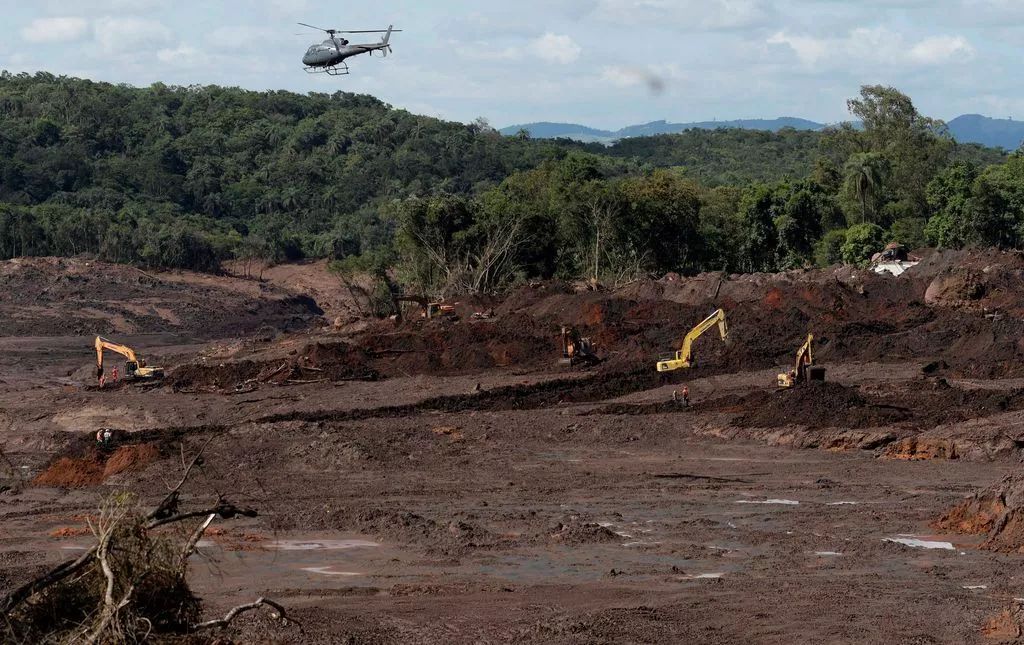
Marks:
<point>607,64</point>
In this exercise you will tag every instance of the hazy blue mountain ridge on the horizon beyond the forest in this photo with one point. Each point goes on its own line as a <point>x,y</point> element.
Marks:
<point>1005,134</point>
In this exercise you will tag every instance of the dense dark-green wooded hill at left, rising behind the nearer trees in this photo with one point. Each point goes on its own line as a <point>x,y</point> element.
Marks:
<point>186,177</point>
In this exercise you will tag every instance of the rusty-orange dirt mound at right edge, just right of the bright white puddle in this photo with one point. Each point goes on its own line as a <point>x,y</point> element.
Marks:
<point>997,512</point>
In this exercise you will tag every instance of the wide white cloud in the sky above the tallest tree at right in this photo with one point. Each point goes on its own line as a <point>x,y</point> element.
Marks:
<point>875,47</point>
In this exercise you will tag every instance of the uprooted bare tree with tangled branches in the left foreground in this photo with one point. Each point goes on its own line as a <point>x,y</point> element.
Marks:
<point>132,583</point>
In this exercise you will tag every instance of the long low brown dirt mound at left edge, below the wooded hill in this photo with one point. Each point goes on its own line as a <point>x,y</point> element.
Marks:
<point>71,297</point>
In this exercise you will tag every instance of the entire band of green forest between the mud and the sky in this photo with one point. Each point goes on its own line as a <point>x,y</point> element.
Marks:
<point>188,178</point>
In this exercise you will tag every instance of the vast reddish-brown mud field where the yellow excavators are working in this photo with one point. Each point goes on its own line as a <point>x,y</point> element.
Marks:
<point>448,482</point>
